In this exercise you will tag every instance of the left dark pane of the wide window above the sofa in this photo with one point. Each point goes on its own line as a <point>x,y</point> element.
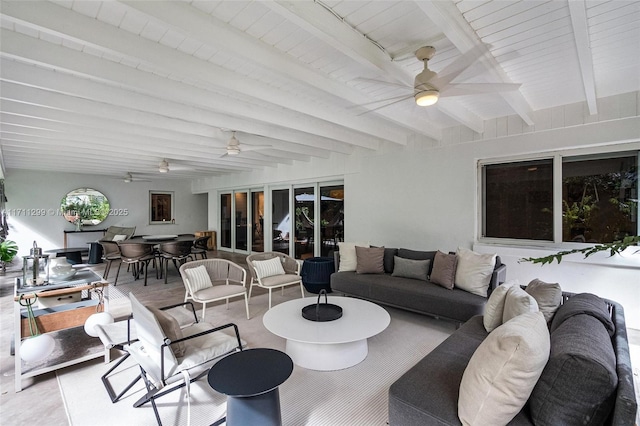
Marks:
<point>518,200</point>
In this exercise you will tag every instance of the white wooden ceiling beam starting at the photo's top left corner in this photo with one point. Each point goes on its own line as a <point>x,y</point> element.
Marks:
<point>104,37</point>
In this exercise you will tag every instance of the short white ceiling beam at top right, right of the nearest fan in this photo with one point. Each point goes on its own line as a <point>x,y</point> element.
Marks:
<point>578,13</point>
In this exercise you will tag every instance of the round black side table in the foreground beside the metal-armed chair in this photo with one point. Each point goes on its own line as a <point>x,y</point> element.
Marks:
<point>250,379</point>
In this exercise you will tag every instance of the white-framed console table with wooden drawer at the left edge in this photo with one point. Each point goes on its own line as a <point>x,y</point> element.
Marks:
<point>64,322</point>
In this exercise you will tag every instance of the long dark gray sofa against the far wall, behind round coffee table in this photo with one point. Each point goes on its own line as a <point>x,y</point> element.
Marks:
<point>411,294</point>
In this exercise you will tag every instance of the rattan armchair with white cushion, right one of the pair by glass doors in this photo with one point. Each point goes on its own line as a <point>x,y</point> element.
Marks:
<point>271,270</point>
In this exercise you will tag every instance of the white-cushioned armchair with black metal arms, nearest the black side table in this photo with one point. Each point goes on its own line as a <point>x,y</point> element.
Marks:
<point>171,357</point>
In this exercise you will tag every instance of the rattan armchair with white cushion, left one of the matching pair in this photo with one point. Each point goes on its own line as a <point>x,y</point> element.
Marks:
<point>211,280</point>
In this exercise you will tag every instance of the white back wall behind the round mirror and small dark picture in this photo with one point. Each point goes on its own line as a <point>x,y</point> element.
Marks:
<point>43,190</point>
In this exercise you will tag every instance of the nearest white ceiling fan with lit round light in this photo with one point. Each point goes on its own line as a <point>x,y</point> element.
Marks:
<point>429,87</point>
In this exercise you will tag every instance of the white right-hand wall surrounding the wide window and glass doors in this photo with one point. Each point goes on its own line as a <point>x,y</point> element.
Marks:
<point>425,195</point>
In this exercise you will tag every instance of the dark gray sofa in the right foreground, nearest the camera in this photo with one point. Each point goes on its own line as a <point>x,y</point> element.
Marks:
<point>567,393</point>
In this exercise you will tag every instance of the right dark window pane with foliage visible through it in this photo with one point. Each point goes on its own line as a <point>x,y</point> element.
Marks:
<point>599,198</point>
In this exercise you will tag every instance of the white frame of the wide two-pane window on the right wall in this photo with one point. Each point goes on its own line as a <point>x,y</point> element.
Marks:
<point>557,158</point>
